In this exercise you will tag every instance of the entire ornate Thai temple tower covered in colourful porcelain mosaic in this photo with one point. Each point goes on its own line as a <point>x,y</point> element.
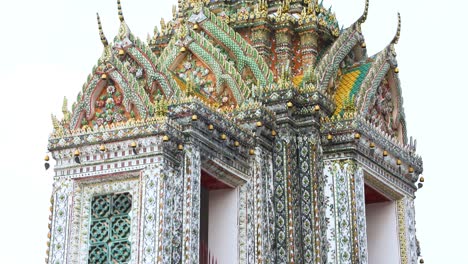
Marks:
<point>249,131</point>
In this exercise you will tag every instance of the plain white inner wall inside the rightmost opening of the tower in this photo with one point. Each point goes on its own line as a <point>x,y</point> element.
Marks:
<point>382,233</point>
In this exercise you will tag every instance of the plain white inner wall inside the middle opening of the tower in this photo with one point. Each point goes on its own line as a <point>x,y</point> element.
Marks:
<point>222,231</point>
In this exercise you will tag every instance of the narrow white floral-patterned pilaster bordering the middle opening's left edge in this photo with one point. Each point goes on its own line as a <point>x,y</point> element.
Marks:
<point>191,205</point>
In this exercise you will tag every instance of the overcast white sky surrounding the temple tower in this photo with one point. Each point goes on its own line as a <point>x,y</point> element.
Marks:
<point>50,46</point>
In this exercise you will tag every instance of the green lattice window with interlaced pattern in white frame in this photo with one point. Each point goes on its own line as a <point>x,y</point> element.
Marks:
<point>110,229</point>
